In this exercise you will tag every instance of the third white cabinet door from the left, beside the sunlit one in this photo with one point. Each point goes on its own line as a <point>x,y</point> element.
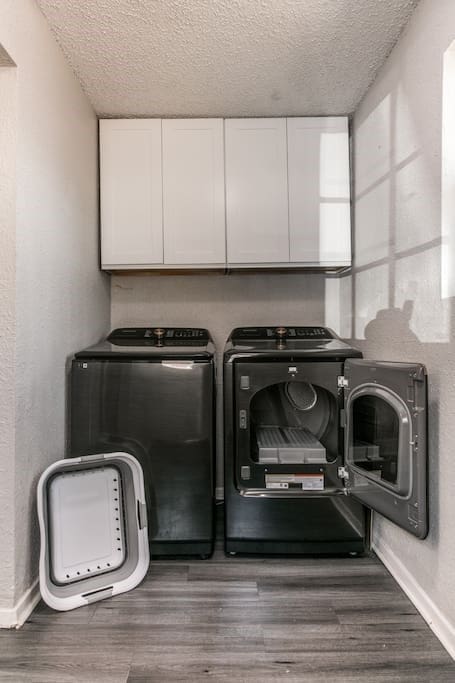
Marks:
<point>256,191</point>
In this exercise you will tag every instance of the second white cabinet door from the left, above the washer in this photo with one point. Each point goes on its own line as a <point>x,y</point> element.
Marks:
<point>193,191</point>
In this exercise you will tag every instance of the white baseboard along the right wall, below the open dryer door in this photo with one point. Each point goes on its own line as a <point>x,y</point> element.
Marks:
<point>439,624</point>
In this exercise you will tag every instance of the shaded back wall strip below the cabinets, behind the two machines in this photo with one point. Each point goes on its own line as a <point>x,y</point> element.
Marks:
<point>219,303</point>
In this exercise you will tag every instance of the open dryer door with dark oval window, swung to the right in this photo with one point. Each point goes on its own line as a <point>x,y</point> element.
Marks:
<point>386,440</point>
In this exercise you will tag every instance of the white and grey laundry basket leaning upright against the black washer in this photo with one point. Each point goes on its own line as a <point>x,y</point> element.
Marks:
<point>93,525</point>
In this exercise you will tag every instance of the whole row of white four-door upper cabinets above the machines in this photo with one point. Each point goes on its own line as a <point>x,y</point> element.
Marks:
<point>191,193</point>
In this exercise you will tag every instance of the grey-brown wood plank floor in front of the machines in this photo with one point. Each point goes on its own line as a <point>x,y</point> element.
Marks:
<point>235,619</point>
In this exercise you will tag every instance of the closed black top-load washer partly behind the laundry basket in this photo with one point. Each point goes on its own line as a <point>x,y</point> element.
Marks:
<point>150,392</point>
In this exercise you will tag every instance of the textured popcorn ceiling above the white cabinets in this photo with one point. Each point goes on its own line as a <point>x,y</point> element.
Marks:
<point>226,57</point>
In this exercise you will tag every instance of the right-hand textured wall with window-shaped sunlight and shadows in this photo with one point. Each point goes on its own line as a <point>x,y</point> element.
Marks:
<point>395,292</point>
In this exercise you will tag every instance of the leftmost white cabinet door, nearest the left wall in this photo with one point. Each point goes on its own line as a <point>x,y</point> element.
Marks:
<point>131,192</point>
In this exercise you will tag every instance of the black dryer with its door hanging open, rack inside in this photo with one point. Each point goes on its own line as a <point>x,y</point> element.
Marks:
<point>314,437</point>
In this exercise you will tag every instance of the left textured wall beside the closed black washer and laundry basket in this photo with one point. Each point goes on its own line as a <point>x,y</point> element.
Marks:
<point>62,300</point>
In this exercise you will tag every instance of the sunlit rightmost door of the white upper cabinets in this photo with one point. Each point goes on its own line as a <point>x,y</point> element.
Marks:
<point>319,190</point>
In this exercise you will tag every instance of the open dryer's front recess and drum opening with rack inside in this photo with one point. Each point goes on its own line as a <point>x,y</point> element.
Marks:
<point>287,427</point>
